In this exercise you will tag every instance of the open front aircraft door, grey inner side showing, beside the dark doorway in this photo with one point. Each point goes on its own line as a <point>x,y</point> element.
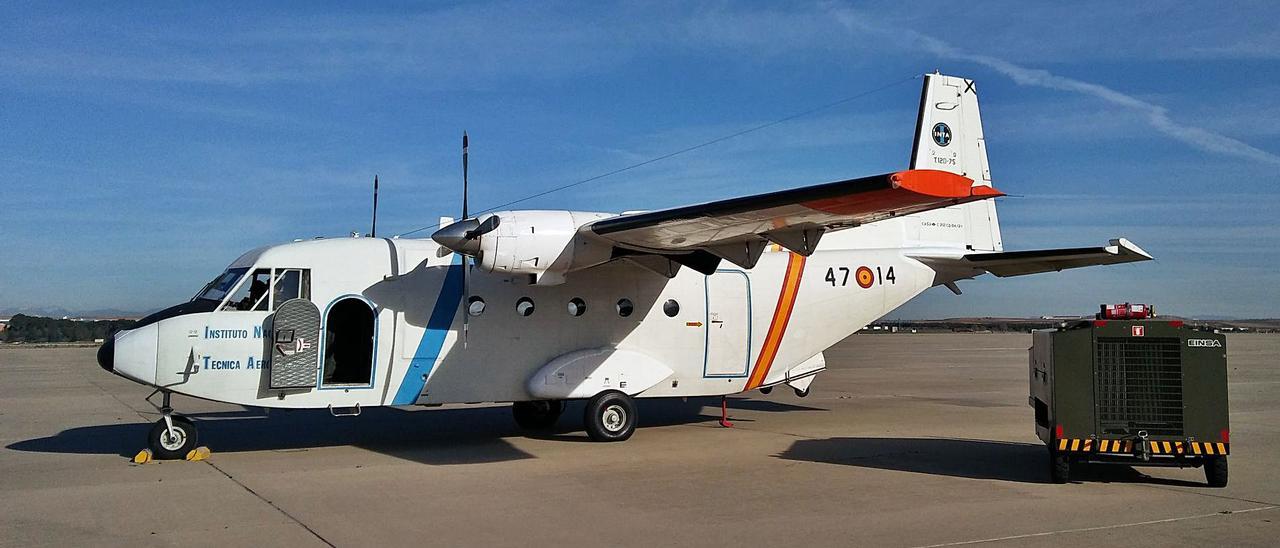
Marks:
<point>295,354</point>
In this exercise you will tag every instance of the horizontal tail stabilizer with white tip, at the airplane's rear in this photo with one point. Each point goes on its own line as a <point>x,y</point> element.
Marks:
<point>1020,263</point>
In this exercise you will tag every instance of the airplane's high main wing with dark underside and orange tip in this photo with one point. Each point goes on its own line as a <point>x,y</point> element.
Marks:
<point>738,230</point>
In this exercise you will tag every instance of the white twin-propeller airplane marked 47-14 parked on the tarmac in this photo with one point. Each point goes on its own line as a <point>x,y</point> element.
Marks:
<point>538,308</point>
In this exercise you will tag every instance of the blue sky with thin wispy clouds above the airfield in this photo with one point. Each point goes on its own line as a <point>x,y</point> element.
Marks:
<point>147,147</point>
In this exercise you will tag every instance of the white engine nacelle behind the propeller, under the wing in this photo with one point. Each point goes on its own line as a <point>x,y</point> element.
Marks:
<point>542,244</point>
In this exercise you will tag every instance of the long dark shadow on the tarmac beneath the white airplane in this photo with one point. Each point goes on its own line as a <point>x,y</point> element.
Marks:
<point>436,437</point>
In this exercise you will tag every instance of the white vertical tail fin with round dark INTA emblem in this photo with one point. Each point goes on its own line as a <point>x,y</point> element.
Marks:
<point>949,138</point>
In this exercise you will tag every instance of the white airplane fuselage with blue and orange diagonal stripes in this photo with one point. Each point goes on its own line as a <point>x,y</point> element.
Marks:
<point>734,331</point>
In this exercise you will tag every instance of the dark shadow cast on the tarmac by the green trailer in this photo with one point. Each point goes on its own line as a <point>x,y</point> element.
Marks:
<point>976,459</point>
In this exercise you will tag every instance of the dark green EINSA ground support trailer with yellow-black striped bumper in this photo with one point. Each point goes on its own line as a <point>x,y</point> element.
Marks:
<point>1139,392</point>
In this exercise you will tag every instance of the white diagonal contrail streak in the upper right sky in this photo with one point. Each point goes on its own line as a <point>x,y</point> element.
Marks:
<point>1155,115</point>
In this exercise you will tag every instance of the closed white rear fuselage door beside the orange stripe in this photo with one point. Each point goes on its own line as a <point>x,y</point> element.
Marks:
<point>728,325</point>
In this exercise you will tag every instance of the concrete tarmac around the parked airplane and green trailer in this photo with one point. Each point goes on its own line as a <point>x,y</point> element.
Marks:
<point>908,440</point>
